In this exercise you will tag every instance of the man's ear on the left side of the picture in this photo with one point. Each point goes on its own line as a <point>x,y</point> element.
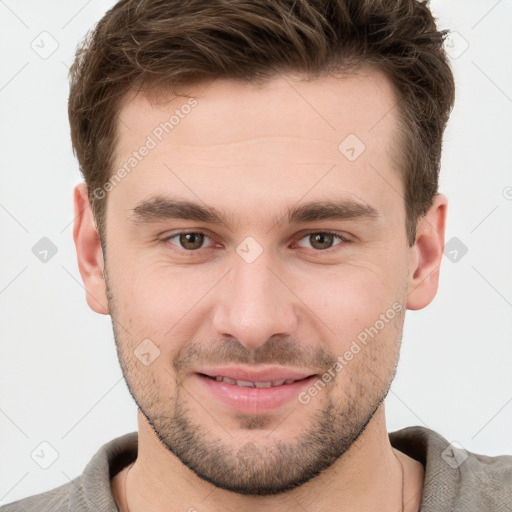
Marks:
<point>89,252</point>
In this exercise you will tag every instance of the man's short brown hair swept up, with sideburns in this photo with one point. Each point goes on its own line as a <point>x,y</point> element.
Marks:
<point>168,43</point>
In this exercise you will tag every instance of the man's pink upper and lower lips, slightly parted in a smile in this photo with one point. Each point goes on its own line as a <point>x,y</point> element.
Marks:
<point>249,400</point>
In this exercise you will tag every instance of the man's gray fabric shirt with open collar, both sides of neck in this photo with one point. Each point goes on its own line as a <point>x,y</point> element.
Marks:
<point>479,484</point>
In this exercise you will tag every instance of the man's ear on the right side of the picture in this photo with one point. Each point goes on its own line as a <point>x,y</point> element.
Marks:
<point>426,254</point>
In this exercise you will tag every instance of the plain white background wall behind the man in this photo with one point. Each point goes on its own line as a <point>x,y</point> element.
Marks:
<point>60,379</point>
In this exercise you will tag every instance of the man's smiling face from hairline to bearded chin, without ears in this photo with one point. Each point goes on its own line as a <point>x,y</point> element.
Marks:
<point>194,297</point>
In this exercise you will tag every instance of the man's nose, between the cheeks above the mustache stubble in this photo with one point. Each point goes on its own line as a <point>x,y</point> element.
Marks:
<point>255,302</point>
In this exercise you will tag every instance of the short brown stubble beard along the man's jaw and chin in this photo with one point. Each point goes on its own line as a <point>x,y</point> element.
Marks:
<point>269,467</point>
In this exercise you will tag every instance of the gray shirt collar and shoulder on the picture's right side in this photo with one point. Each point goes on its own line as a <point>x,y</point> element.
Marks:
<point>457,479</point>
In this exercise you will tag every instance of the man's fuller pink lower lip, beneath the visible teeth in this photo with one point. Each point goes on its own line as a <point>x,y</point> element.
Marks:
<point>254,400</point>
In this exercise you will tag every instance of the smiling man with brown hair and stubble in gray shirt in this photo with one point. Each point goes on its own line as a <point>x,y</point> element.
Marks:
<point>260,208</point>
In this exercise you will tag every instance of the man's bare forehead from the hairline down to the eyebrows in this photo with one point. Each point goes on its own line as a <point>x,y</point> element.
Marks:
<point>271,141</point>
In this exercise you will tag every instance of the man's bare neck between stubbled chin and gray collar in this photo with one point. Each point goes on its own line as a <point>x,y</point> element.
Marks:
<point>367,477</point>
